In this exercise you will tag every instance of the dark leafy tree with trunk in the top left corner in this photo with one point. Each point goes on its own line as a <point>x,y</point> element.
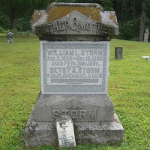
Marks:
<point>18,8</point>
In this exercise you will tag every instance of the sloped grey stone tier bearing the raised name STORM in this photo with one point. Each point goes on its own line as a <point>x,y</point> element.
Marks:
<point>78,107</point>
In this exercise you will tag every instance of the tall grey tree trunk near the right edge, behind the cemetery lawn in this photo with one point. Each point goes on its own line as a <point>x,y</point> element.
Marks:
<point>143,17</point>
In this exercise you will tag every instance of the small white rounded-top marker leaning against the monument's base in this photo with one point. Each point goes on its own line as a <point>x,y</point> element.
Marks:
<point>65,131</point>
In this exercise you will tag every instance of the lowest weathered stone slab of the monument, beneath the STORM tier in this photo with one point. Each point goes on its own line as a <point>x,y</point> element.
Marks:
<point>44,133</point>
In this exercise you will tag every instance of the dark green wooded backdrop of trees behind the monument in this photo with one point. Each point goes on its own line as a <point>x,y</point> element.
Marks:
<point>128,12</point>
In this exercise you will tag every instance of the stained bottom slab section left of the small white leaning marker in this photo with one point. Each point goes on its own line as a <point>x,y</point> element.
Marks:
<point>40,133</point>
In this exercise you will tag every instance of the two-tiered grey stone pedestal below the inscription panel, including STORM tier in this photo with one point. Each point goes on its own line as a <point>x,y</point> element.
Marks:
<point>93,118</point>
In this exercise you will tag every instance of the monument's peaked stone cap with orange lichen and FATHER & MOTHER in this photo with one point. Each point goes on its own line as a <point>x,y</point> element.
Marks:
<point>75,19</point>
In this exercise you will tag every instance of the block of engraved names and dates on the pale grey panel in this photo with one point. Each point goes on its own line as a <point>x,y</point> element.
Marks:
<point>77,66</point>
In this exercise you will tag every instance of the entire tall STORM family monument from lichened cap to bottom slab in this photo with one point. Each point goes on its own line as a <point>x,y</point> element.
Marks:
<point>74,63</point>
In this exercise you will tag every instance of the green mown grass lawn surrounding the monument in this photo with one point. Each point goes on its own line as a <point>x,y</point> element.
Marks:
<point>128,88</point>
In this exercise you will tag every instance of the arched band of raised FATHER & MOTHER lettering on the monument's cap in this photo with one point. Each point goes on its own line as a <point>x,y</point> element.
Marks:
<point>77,26</point>
